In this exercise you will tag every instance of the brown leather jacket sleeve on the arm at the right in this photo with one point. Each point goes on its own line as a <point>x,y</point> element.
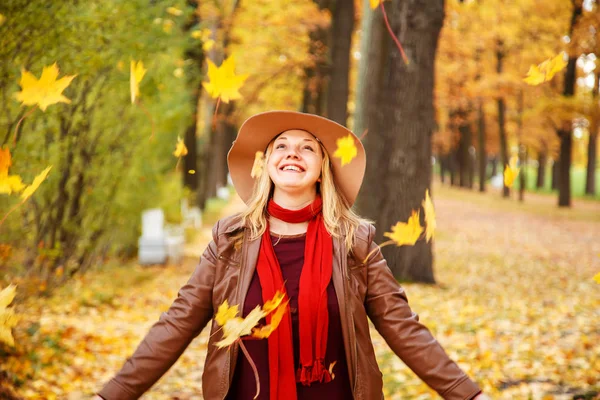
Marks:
<point>388,309</point>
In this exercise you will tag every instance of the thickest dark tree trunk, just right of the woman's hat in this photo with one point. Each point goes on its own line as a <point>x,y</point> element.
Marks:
<point>402,120</point>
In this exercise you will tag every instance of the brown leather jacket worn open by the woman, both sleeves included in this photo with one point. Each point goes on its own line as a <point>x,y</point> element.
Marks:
<point>363,290</point>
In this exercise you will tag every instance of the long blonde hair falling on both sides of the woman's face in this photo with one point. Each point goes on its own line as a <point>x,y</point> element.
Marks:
<point>339,218</point>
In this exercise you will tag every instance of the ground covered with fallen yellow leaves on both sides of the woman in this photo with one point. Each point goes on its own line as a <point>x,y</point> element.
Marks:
<point>515,306</point>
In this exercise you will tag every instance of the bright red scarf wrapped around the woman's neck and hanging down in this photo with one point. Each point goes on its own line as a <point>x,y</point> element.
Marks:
<point>312,303</point>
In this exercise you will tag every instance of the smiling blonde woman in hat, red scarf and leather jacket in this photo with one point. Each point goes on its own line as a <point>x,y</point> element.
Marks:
<point>298,234</point>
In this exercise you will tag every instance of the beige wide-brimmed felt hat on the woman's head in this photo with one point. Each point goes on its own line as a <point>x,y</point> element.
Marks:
<point>257,131</point>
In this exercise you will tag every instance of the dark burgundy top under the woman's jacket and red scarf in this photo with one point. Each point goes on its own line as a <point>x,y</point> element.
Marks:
<point>290,254</point>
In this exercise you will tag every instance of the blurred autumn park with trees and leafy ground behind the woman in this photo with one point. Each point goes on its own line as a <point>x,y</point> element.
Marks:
<point>490,105</point>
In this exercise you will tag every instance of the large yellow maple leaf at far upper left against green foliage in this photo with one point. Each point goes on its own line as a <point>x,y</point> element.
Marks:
<point>45,91</point>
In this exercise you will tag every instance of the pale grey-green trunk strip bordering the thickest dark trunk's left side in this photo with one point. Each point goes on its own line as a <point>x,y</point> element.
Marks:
<point>369,68</point>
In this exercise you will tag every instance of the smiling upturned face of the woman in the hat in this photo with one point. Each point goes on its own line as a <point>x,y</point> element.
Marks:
<point>294,164</point>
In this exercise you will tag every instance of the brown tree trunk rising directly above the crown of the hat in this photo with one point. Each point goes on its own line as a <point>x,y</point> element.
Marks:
<point>342,27</point>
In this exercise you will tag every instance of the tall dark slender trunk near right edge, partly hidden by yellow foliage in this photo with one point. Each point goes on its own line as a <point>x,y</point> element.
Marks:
<point>565,130</point>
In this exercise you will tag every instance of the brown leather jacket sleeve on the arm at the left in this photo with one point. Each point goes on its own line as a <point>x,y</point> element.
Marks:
<point>170,335</point>
